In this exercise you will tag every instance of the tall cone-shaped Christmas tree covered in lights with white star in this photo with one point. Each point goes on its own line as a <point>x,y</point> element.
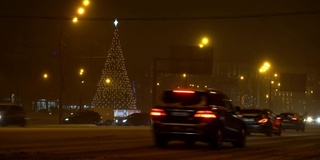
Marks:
<point>114,88</point>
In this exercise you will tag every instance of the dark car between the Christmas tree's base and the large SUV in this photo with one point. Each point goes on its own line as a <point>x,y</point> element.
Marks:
<point>135,119</point>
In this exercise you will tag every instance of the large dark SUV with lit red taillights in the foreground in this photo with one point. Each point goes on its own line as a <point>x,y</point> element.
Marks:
<point>194,115</point>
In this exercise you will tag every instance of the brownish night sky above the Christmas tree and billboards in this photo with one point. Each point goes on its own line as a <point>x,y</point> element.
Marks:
<point>283,32</point>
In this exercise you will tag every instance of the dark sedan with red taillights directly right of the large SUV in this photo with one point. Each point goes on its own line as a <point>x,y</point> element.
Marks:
<point>260,120</point>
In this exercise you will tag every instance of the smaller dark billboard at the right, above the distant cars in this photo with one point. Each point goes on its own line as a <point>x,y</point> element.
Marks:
<point>293,82</point>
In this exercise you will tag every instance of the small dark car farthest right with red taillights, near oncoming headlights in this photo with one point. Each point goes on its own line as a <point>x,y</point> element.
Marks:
<point>293,121</point>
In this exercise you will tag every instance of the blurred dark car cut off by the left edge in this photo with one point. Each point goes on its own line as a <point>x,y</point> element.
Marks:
<point>12,114</point>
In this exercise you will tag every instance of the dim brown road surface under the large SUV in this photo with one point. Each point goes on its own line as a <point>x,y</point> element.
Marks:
<point>82,142</point>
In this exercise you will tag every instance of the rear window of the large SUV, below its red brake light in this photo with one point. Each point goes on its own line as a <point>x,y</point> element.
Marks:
<point>183,97</point>
